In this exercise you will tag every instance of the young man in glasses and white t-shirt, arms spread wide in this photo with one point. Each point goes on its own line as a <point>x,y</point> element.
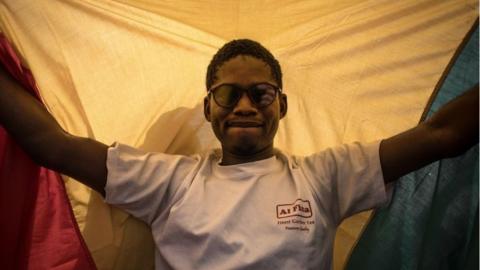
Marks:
<point>247,205</point>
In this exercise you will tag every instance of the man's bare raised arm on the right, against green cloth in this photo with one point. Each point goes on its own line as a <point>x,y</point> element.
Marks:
<point>450,132</point>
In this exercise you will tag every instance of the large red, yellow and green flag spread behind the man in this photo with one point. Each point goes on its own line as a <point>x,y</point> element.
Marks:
<point>134,72</point>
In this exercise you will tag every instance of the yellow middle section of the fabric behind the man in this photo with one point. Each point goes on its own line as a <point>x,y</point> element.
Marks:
<point>133,71</point>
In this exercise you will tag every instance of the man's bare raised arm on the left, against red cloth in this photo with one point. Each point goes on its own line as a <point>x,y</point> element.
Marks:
<point>39,134</point>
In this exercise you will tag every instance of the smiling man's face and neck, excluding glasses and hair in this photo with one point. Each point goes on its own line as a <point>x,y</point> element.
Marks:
<point>245,131</point>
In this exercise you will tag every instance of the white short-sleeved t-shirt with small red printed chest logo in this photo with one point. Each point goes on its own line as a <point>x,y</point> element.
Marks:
<point>277,213</point>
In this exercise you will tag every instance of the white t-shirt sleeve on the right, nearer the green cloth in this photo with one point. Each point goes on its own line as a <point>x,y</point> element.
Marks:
<point>347,179</point>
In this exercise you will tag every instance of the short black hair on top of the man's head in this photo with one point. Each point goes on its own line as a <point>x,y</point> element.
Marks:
<point>243,47</point>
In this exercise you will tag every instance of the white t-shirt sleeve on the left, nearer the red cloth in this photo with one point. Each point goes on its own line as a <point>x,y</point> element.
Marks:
<point>142,183</point>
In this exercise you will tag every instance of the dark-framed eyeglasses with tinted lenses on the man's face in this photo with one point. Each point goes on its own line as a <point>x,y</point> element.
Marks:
<point>261,94</point>
